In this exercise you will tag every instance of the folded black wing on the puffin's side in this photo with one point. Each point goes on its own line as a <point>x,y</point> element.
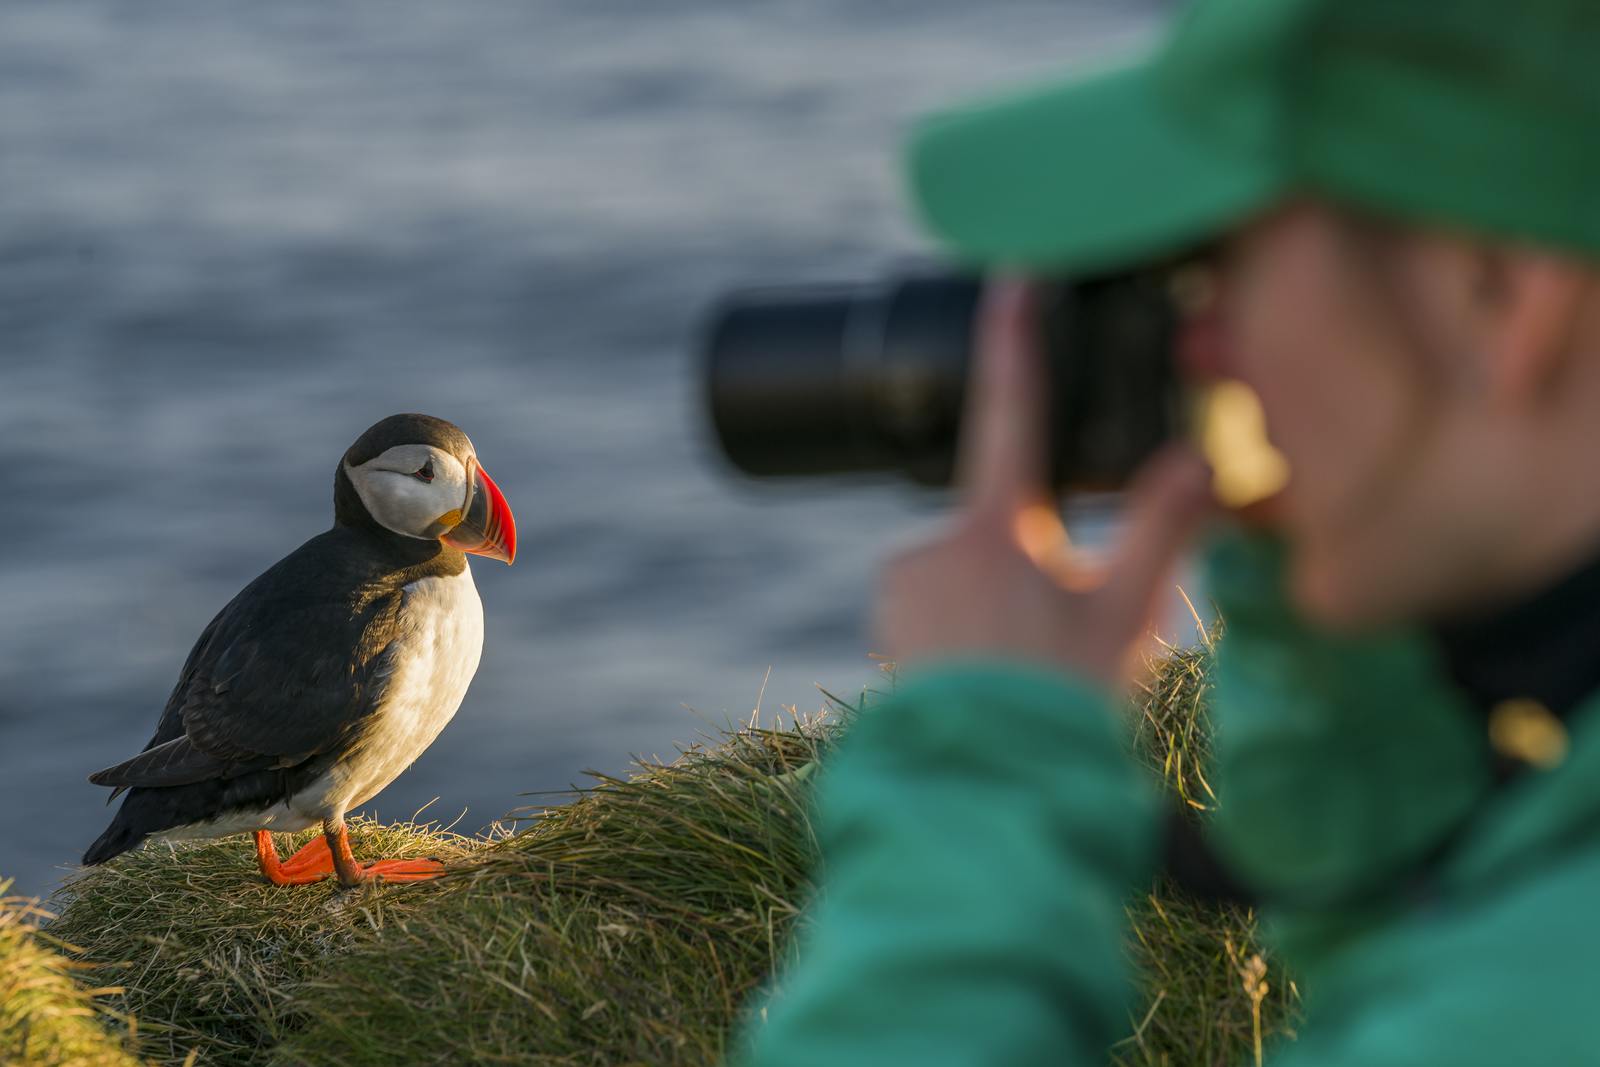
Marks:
<point>287,671</point>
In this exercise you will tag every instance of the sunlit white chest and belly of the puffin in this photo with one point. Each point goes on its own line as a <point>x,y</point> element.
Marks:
<point>434,658</point>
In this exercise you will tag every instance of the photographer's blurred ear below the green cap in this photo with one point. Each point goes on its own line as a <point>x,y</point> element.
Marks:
<point>1538,298</point>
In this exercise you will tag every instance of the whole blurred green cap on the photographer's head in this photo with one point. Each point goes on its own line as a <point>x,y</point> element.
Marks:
<point>1476,114</point>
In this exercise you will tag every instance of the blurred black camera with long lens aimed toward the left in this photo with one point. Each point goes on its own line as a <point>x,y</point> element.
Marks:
<point>873,378</point>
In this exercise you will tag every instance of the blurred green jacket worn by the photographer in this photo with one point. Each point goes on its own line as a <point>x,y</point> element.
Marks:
<point>983,829</point>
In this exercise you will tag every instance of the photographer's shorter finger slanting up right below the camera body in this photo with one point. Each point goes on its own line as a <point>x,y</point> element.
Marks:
<point>1169,500</point>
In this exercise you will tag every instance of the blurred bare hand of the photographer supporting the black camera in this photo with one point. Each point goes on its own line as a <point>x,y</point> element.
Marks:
<point>1002,581</point>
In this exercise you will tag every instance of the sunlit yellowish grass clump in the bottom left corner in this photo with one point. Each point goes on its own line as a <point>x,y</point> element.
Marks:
<point>47,1017</point>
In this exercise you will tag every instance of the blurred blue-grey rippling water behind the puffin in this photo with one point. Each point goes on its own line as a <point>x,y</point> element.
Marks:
<point>236,234</point>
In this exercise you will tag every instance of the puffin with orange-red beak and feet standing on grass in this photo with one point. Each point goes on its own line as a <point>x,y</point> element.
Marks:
<point>334,671</point>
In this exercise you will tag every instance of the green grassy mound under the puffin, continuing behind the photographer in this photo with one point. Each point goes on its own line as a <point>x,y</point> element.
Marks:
<point>626,927</point>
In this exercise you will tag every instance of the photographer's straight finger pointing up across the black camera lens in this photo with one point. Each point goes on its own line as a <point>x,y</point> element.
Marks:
<point>1004,430</point>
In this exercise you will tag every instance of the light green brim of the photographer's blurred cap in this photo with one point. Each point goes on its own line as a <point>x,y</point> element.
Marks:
<point>1084,175</point>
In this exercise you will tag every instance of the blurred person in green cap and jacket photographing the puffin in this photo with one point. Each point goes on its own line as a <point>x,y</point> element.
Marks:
<point>1401,210</point>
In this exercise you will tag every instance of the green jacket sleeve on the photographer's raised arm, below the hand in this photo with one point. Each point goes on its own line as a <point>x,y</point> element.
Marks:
<point>980,836</point>
